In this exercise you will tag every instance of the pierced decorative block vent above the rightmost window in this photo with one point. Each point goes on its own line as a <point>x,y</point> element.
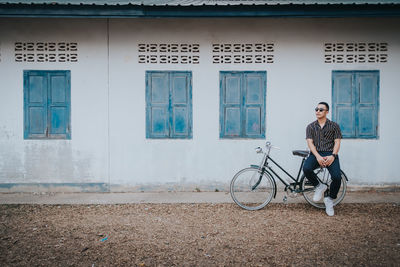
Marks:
<point>356,52</point>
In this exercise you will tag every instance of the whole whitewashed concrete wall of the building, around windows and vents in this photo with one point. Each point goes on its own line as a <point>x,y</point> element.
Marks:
<point>109,145</point>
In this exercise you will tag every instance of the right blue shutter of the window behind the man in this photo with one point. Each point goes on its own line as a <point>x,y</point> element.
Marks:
<point>367,104</point>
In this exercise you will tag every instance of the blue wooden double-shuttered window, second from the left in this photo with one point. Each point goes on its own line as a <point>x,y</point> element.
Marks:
<point>169,104</point>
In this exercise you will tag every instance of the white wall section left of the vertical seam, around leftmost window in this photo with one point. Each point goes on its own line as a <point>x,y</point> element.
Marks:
<point>83,159</point>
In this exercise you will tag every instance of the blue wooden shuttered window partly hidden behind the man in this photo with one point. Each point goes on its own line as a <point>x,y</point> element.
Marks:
<point>355,99</point>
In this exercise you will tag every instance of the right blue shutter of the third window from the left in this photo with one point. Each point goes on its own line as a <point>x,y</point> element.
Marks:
<point>254,104</point>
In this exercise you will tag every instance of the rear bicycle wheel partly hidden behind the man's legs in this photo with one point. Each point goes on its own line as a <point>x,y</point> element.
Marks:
<point>325,177</point>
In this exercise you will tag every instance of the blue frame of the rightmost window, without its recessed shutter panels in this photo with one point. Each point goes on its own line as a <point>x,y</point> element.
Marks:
<point>356,105</point>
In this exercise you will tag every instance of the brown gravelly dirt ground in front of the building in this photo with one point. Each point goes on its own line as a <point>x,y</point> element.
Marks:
<point>198,235</point>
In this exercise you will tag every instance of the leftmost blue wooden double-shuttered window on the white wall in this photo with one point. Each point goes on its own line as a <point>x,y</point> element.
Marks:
<point>47,104</point>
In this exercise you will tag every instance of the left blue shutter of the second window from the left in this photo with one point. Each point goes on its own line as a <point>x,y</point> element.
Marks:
<point>157,105</point>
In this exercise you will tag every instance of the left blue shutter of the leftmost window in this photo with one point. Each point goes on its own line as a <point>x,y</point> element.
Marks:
<point>35,104</point>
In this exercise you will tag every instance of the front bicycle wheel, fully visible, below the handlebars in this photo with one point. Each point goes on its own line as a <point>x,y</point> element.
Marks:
<point>252,189</point>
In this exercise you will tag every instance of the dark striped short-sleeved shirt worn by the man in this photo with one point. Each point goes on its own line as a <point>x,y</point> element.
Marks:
<point>323,138</point>
